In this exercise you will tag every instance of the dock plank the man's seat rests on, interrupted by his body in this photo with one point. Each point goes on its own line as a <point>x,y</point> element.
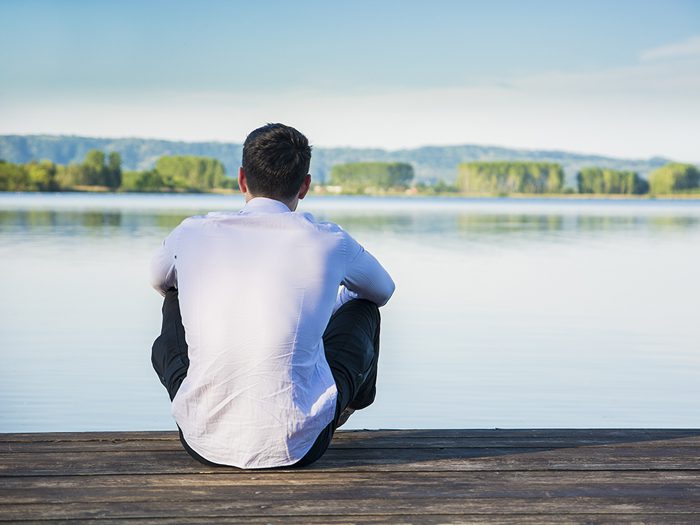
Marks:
<point>612,457</point>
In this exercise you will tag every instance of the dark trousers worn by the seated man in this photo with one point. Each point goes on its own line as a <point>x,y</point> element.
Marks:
<point>351,342</point>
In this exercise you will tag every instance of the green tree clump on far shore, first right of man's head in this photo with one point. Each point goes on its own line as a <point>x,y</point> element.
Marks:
<point>364,176</point>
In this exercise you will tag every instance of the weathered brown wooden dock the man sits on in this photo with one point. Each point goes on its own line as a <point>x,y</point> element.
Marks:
<point>388,476</point>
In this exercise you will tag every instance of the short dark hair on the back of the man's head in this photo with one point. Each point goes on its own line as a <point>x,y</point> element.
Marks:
<point>276,158</point>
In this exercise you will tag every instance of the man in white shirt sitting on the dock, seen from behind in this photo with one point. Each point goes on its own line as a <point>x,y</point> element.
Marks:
<point>270,333</point>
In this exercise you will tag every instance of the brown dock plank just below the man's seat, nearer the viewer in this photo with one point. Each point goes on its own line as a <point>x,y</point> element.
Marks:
<point>310,485</point>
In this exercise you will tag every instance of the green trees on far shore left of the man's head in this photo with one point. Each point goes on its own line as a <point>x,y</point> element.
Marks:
<point>103,171</point>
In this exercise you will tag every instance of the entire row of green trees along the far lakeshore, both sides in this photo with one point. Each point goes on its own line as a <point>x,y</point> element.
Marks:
<point>200,174</point>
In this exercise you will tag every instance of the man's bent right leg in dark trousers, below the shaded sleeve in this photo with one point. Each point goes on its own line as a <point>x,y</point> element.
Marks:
<point>351,343</point>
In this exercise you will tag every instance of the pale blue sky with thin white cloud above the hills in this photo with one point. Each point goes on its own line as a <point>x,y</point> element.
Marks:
<point>615,78</point>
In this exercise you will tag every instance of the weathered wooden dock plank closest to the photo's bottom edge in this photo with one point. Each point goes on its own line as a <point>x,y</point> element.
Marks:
<point>353,507</point>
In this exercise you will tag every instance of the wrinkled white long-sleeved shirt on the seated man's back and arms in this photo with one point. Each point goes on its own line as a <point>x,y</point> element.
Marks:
<point>256,291</point>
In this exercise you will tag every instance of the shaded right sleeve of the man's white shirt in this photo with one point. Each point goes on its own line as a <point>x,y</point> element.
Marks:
<point>365,278</point>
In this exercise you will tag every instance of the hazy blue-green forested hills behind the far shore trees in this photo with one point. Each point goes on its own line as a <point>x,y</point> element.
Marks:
<point>430,163</point>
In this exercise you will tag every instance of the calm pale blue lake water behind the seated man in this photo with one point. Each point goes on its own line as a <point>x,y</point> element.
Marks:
<point>508,313</point>
